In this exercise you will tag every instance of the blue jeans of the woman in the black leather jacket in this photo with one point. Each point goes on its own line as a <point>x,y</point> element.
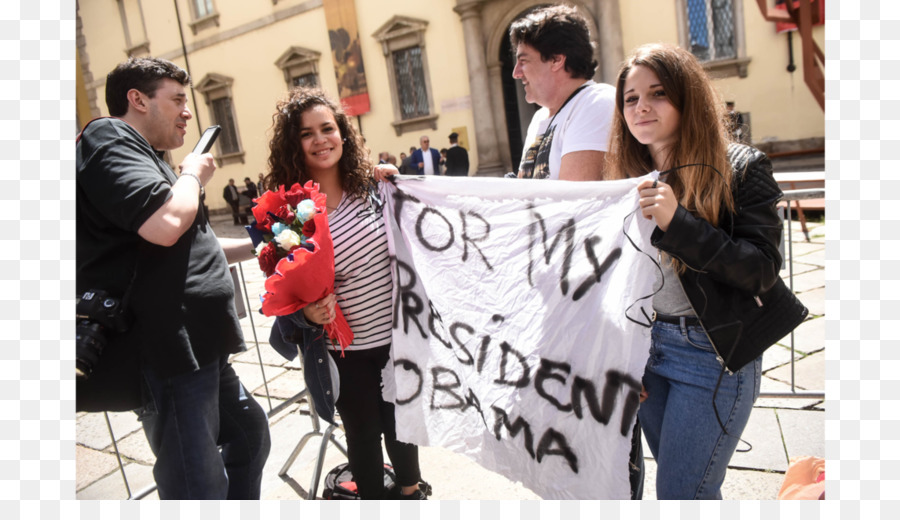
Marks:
<point>691,450</point>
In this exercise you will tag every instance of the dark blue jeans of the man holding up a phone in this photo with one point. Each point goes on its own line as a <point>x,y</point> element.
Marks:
<point>188,417</point>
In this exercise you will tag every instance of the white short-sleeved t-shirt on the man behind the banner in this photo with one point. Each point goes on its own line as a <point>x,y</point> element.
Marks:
<point>582,124</point>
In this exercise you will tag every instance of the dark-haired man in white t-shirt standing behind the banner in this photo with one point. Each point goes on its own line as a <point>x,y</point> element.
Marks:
<point>567,138</point>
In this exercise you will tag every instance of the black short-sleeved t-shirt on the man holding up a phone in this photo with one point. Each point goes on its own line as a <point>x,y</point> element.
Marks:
<point>182,297</point>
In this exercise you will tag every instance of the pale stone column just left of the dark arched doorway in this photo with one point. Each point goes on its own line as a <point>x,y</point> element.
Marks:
<point>489,163</point>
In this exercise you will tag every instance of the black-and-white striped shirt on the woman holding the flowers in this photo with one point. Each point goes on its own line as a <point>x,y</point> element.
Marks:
<point>362,271</point>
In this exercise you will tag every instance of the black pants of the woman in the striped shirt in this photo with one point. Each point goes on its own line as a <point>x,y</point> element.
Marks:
<point>366,416</point>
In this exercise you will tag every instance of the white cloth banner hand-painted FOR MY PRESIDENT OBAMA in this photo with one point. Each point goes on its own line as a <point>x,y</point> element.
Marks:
<point>512,340</point>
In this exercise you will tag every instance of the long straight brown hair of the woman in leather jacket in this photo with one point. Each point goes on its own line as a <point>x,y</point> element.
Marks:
<point>702,137</point>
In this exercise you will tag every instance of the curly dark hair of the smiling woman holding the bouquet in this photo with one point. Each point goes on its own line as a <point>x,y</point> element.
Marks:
<point>286,160</point>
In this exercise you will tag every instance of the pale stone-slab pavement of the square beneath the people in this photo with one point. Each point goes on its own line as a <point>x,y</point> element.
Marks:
<point>779,428</point>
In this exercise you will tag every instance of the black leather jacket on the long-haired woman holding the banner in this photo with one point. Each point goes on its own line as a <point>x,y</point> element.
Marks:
<point>732,280</point>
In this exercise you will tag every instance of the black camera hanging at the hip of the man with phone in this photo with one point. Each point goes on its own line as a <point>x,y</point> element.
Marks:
<point>97,314</point>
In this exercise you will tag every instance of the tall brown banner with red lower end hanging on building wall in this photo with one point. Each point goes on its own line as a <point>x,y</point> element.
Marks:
<point>340,16</point>
